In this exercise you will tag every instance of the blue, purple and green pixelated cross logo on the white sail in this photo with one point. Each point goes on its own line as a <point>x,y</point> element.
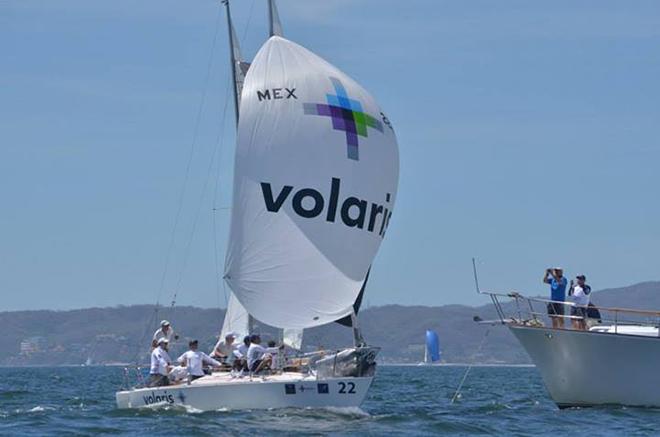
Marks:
<point>347,116</point>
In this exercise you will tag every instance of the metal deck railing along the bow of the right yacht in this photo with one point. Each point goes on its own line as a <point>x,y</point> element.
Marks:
<point>533,311</point>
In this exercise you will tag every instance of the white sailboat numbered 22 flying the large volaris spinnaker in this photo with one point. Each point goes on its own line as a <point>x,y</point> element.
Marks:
<point>315,183</point>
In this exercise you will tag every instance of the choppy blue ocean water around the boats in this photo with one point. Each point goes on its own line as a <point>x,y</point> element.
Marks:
<point>402,400</point>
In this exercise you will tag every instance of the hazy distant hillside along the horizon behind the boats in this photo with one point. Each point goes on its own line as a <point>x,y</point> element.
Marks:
<point>121,334</point>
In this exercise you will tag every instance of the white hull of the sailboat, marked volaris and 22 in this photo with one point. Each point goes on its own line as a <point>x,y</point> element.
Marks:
<point>221,391</point>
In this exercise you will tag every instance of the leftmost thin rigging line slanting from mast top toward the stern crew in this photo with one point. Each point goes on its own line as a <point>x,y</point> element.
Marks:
<point>190,158</point>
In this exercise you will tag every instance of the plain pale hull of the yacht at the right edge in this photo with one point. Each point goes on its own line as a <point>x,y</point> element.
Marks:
<point>582,368</point>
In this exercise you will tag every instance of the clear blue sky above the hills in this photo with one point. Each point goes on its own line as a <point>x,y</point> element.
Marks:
<point>528,133</point>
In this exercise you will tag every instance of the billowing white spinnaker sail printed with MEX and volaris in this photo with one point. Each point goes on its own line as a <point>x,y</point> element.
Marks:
<point>315,180</point>
